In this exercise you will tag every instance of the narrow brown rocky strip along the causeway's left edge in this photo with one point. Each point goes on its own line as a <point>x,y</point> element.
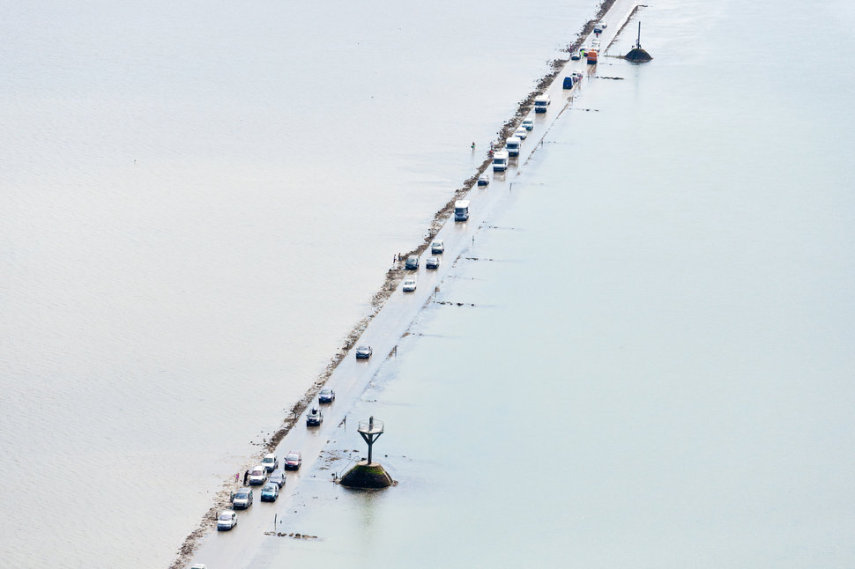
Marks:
<point>378,300</point>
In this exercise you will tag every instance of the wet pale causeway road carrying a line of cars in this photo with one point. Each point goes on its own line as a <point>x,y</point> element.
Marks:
<point>235,548</point>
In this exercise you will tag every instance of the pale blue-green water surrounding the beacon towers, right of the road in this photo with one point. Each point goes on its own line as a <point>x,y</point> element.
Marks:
<point>658,369</point>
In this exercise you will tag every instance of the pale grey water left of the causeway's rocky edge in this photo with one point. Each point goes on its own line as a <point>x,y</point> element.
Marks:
<point>198,202</point>
